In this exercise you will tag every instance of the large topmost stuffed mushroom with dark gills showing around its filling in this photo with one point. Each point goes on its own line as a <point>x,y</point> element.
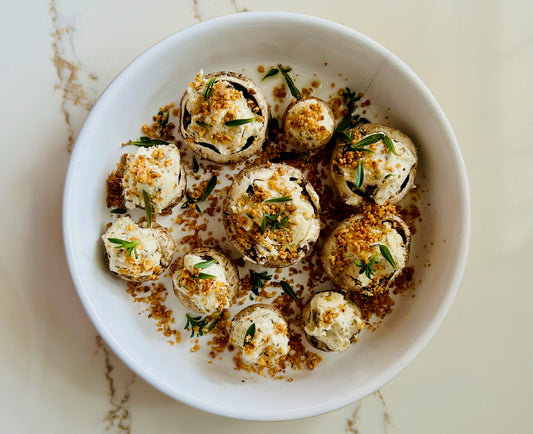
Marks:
<point>223,117</point>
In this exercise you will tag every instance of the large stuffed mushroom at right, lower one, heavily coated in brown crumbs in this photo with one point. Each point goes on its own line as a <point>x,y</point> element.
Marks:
<point>365,253</point>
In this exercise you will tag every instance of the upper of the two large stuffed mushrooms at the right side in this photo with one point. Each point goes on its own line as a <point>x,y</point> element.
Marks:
<point>379,164</point>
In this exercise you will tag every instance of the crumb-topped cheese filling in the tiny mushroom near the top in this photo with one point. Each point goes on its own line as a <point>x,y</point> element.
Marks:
<point>309,121</point>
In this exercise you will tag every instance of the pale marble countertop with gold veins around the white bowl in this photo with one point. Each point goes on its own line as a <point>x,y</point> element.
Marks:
<point>476,375</point>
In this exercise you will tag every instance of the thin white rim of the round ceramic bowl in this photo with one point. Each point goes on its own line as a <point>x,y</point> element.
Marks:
<point>412,350</point>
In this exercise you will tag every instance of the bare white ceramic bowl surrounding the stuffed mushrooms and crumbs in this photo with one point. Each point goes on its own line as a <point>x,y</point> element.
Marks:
<point>230,43</point>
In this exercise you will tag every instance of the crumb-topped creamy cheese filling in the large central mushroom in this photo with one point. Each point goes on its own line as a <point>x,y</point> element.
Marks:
<point>295,216</point>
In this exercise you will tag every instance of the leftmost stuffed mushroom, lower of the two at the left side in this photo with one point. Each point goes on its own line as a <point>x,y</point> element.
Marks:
<point>136,252</point>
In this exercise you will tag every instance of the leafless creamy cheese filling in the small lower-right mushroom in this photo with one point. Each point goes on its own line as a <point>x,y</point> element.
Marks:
<point>333,320</point>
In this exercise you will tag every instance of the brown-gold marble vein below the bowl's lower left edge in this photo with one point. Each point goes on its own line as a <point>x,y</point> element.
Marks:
<point>119,416</point>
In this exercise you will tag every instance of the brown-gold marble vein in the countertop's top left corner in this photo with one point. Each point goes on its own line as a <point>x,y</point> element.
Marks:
<point>73,93</point>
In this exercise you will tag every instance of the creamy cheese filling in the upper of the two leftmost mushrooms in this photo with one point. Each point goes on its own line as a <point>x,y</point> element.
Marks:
<point>157,171</point>
